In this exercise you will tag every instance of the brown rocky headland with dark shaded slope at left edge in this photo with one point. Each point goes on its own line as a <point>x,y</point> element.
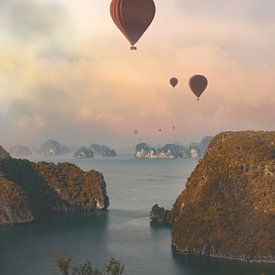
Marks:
<point>32,191</point>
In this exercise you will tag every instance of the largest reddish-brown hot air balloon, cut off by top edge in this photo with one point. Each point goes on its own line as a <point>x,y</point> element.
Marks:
<point>133,17</point>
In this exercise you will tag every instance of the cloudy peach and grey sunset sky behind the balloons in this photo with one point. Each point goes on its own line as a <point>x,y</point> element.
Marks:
<point>66,72</point>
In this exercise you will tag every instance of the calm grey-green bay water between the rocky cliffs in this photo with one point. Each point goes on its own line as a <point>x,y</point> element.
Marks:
<point>123,232</point>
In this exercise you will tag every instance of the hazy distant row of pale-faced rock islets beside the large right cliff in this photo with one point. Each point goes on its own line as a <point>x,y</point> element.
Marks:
<point>173,151</point>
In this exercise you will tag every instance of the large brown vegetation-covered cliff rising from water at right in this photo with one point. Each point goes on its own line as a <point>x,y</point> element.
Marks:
<point>228,207</point>
